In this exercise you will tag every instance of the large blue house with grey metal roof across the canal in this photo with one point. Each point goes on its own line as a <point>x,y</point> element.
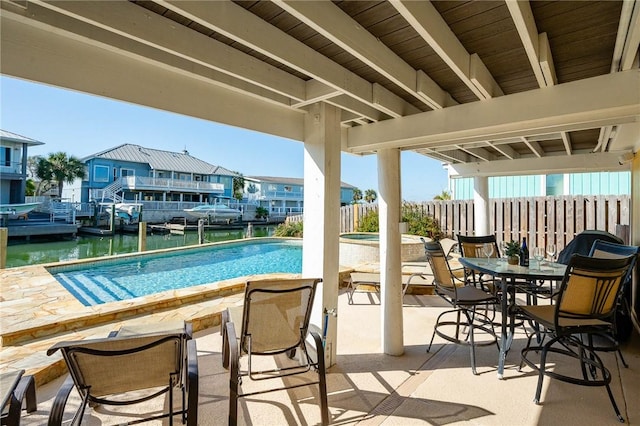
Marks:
<point>131,172</point>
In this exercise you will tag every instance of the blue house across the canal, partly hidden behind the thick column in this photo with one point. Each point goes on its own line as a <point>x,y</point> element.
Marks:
<point>284,196</point>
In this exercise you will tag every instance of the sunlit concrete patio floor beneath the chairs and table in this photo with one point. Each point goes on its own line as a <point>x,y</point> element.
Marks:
<point>366,387</point>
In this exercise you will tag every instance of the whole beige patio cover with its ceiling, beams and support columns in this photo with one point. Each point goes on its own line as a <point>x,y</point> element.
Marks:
<point>490,88</point>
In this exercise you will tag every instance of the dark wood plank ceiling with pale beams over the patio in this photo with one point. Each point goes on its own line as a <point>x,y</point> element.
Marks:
<point>398,61</point>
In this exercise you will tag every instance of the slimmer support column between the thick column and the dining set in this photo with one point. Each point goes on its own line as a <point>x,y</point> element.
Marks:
<point>390,266</point>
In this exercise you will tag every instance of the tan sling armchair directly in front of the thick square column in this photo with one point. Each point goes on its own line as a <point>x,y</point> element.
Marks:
<point>274,320</point>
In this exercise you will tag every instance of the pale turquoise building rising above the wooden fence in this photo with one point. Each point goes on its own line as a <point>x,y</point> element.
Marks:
<point>600,183</point>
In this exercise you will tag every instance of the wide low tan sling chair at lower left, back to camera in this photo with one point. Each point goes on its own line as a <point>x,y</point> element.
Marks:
<point>129,368</point>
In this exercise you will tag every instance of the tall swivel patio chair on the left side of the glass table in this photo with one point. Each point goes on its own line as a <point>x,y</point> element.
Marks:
<point>465,299</point>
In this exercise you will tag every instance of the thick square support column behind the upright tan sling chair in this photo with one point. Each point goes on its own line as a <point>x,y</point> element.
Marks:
<point>320,249</point>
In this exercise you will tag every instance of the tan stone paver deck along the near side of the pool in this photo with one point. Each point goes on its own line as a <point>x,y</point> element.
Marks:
<point>37,311</point>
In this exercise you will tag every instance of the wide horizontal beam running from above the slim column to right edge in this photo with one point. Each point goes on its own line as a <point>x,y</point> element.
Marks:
<point>582,104</point>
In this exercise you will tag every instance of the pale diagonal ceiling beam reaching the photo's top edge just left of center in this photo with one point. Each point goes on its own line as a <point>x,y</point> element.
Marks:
<point>338,27</point>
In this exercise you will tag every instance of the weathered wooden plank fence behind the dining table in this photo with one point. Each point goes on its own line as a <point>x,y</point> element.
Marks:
<point>541,219</point>
